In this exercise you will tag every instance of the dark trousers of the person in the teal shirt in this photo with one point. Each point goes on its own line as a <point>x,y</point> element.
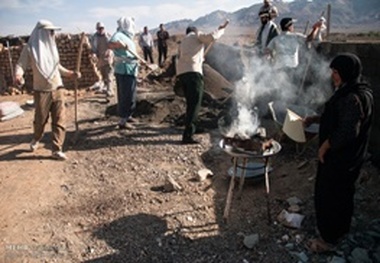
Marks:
<point>126,94</point>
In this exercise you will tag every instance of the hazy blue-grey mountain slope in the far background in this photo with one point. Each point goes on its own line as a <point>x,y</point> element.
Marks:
<point>345,15</point>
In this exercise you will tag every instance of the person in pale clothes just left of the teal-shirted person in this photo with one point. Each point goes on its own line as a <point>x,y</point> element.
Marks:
<point>102,56</point>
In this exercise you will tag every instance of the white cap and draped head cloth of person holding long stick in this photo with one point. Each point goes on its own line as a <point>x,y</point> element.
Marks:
<point>44,48</point>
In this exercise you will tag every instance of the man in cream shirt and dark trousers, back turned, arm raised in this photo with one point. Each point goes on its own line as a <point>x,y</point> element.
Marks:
<point>190,74</point>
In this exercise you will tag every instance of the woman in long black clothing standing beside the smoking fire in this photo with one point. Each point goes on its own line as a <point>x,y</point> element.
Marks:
<point>343,141</point>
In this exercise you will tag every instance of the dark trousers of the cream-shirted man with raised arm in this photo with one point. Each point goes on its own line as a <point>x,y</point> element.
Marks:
<point>193,86</point>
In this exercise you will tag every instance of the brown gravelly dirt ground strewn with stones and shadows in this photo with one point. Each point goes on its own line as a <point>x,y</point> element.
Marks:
<point>109,201</point>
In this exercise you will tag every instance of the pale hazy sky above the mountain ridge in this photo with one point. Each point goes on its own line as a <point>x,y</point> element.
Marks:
<point>19,17</point>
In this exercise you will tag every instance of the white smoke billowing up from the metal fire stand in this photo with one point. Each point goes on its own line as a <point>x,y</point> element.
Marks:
<point>262,84</point>
